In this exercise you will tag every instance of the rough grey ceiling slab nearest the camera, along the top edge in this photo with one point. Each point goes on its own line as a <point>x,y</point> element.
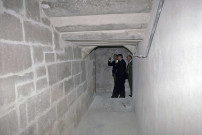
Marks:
<point>94,7</point>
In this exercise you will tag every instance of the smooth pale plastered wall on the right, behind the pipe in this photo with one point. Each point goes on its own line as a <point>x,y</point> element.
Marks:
<point>168,83</point>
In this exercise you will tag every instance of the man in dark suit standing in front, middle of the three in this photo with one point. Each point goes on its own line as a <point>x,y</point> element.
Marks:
<point>120,78</point>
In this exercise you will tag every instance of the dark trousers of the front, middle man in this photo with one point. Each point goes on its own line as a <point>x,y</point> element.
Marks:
<point>119,88</point>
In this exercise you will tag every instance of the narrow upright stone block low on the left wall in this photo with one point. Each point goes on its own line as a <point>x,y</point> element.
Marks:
<point>23,116</point>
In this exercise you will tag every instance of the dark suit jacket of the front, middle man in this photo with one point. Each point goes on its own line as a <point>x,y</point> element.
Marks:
<point>121,69</point>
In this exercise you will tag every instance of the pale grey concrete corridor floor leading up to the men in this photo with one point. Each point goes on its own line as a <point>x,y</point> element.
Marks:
<point>108,116</point>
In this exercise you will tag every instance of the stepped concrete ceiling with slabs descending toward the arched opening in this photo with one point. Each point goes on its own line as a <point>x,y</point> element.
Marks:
<point>93,23</point>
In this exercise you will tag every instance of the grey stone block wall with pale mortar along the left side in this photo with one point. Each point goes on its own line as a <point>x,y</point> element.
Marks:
<point>44,88</point>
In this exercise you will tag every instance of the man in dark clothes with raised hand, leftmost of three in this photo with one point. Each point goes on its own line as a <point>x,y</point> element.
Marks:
<point>113,64</point>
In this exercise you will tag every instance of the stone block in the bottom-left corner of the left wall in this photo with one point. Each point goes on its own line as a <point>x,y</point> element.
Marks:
<point>9,124</point>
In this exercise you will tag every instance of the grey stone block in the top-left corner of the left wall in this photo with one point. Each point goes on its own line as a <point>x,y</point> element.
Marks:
<point>16,5</point>
